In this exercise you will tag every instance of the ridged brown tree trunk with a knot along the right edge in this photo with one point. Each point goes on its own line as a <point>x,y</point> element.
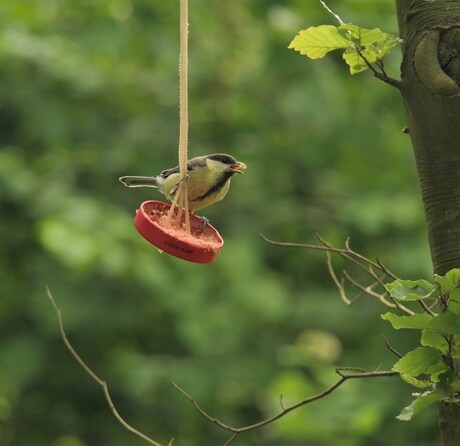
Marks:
<point>430,74</point>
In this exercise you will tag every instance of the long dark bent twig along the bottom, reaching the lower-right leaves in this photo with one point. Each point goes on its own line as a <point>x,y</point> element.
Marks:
<point>239,430</point>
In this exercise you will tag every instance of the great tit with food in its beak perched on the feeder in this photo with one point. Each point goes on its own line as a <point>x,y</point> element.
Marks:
<point>208,179</point>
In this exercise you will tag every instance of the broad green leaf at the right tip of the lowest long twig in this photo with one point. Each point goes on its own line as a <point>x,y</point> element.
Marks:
<point>422,360</point>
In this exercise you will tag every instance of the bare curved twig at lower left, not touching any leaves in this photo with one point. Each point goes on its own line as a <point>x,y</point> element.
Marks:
<point>96,378</point>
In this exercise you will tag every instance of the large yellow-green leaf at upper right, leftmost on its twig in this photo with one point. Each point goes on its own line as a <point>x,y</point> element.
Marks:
<point>316,41</point>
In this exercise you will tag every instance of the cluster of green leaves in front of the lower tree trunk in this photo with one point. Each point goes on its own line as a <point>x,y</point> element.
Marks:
<point>431,366</point>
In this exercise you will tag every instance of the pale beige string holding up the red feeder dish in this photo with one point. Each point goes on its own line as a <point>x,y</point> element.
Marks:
<point>181,196</point>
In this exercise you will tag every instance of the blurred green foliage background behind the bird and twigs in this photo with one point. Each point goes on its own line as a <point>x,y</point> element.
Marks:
<point>89,92</point>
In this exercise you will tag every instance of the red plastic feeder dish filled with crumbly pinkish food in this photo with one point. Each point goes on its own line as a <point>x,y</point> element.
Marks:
<point>201,245</point>
